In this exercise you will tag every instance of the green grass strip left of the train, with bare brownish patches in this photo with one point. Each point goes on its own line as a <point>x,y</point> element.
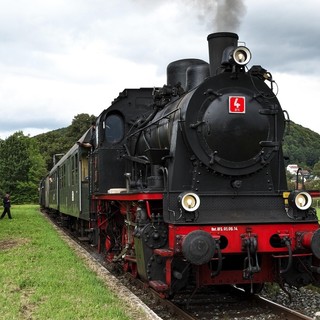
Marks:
<point>42,278</point>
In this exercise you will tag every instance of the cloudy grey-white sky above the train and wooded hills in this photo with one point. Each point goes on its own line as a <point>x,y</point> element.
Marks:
<point>60,58</point>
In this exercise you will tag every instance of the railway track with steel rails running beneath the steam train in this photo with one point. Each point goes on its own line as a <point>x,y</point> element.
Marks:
<point>206,303</point>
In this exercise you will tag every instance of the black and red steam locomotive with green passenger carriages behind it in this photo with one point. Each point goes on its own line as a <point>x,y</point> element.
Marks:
<point>186,184</point>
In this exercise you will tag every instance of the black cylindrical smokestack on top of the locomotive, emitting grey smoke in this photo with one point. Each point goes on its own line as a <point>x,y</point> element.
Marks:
<point>218,42</point>
